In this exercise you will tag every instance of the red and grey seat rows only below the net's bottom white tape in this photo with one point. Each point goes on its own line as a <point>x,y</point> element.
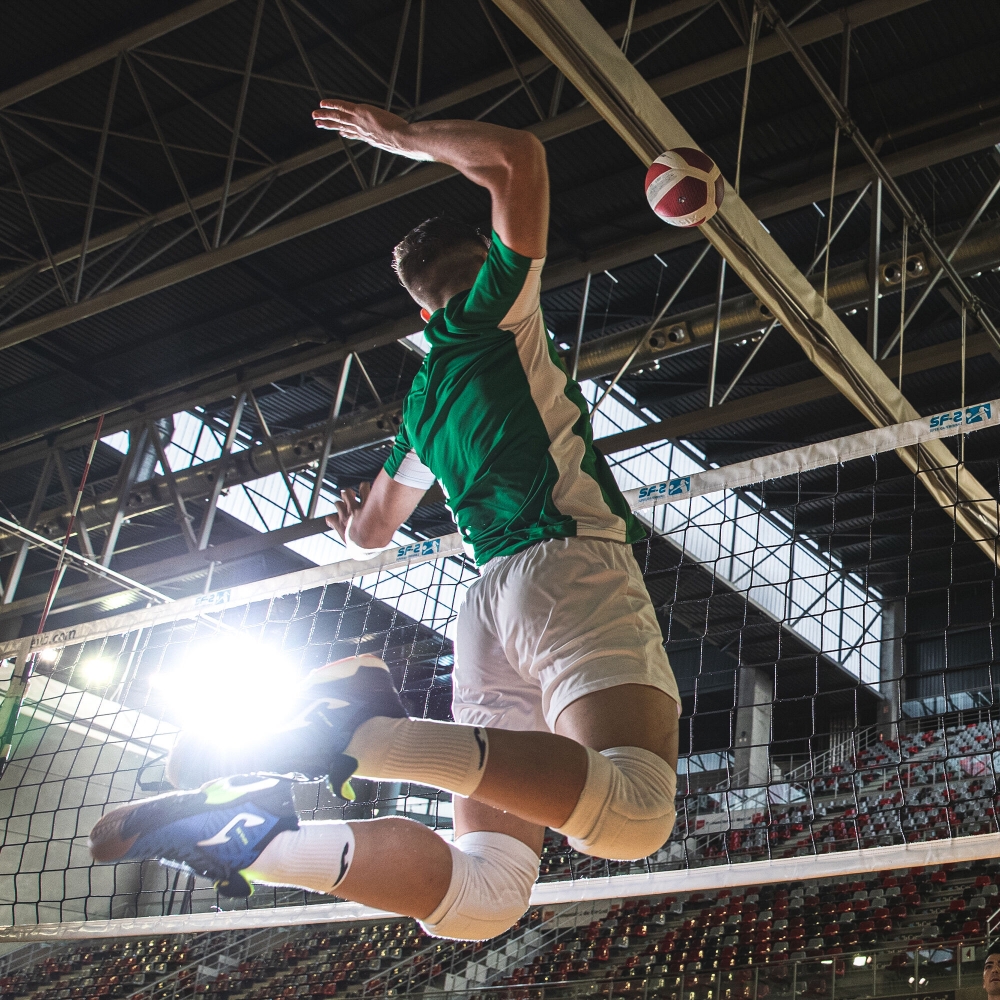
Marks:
<point>747,943</point>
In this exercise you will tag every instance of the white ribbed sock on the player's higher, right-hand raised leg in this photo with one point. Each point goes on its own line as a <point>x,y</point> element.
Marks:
<point>442,754</point>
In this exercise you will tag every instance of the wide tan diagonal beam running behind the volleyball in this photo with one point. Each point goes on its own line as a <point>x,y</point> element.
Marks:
<point>568,34</point>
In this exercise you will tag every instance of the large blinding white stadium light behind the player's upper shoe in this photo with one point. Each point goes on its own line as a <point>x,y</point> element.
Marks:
<point>230,688</point>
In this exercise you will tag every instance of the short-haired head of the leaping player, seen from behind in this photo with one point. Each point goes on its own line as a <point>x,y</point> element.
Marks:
<point>438,258</point>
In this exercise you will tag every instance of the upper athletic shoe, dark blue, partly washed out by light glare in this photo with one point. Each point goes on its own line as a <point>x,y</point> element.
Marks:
<point>334,701</point>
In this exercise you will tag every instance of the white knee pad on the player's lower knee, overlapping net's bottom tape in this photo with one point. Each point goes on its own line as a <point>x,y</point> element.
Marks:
<point>491,879</point>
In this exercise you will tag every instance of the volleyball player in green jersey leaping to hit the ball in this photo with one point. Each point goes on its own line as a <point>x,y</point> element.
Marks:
<point>565,705</point>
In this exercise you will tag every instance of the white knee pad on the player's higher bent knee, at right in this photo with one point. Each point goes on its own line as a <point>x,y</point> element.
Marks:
<point>626,808</point>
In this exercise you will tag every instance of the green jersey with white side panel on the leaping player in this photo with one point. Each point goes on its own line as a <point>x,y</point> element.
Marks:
<point>494,417</point>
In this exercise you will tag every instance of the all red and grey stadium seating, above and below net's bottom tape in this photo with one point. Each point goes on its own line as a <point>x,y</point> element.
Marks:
<point>742,944</point>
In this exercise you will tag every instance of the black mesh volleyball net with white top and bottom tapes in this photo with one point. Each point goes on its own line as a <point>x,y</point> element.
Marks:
<point>830,625</point>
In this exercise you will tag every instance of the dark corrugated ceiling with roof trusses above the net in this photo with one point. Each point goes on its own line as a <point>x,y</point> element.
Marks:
<point>174,234</point>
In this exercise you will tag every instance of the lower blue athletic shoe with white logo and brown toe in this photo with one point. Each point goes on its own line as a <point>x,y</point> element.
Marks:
<point>217,831</point>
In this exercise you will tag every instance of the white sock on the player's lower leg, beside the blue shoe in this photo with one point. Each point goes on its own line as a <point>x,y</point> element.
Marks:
<point>316,856</point>
